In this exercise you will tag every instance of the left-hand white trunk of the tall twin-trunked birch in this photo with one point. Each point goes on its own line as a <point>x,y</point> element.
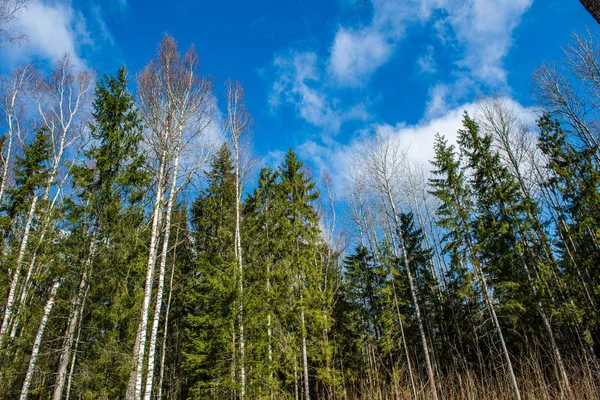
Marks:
<point>134,387</point>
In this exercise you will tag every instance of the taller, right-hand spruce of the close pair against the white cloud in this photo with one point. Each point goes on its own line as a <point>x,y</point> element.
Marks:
<point>503,231</point>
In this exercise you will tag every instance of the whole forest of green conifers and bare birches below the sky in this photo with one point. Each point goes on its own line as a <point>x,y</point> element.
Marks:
<point>146,254</point>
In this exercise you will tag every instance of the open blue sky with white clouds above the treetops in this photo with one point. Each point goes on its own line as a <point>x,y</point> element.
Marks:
<point>323,76</point>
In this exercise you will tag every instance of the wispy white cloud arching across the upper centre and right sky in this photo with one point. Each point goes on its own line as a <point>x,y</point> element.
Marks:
<point>479,32</point>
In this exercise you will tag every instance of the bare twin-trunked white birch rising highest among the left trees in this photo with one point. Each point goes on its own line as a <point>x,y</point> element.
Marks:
<point>175,107</point>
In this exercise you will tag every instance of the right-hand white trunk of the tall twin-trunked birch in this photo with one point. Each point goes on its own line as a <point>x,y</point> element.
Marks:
<point>161,282</point>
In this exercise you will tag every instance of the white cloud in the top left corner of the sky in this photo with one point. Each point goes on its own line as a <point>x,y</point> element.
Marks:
<point>52,30</point>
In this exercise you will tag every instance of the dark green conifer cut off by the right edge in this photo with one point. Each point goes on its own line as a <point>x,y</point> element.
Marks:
<point>572,185</point>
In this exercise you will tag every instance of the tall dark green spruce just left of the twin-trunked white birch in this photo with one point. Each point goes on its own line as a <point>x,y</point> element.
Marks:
<point>106,216</point>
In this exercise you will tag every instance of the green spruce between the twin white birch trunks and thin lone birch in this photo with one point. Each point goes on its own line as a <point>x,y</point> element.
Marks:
<point>210,293</point>
